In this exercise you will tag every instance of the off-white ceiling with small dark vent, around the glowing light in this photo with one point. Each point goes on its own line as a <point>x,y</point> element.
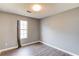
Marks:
<point>47,8</point>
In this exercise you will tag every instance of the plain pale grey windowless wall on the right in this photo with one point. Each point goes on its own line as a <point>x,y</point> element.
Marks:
<point>62,30</point>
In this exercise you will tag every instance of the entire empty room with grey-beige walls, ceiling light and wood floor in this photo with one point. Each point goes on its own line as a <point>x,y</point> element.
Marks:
<point>39,29</point>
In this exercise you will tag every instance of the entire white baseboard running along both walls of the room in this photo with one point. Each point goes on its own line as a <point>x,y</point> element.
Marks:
<point>41,42</point>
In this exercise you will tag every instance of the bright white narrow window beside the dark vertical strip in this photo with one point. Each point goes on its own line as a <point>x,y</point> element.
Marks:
<point>23,29</point>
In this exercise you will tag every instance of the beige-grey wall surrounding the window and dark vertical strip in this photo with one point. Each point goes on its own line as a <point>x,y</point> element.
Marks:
<point>8,30</point>
